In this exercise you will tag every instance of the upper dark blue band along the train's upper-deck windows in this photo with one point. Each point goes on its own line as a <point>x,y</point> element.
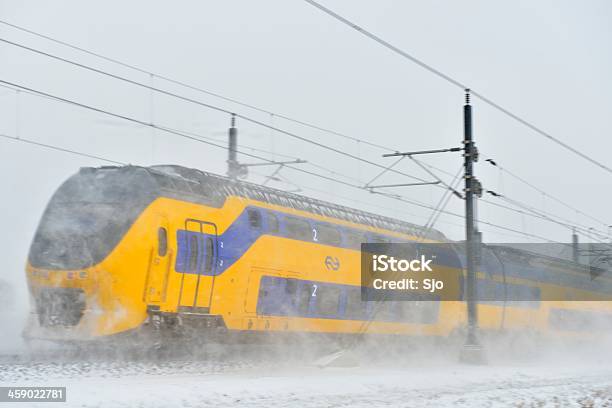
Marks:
<point>255,222</point>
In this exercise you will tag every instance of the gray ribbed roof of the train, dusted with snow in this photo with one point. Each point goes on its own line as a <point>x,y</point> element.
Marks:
<point>182,182</point>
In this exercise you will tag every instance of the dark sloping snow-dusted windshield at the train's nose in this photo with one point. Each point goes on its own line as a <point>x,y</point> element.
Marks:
<point>88,215</point>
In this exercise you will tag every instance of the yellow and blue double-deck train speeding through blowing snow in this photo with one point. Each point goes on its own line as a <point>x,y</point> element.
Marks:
<point>119,248</point>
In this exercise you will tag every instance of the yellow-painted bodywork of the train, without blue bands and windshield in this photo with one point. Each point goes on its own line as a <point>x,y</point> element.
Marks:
<point>139,276</point>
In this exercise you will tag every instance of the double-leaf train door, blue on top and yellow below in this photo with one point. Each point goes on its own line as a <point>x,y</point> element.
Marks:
<point>198,248</point>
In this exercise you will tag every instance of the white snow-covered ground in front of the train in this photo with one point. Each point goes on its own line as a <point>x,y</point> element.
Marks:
<point>291,384</point>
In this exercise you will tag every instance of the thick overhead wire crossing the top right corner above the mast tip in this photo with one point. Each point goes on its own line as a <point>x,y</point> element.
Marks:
<point>458,84</point>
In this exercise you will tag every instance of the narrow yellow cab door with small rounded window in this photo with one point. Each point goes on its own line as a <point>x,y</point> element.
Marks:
<point>160,260</point>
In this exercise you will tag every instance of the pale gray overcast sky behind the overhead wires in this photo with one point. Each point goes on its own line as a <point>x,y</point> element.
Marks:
<point>549,61</point>
